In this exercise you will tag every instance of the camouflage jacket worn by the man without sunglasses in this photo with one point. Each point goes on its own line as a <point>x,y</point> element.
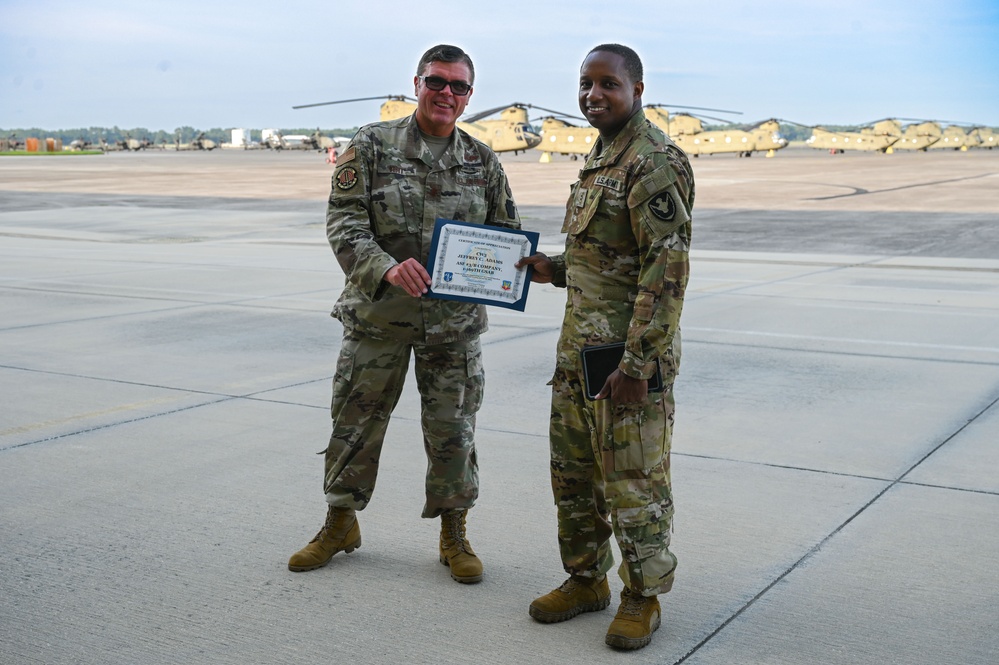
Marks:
<point>626,264</point>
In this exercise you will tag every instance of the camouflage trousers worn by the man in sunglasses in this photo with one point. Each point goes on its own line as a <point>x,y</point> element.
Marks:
<point>369,378</point>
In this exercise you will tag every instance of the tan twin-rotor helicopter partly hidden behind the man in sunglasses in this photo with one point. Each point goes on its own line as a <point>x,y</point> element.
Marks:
<point>509,132</point>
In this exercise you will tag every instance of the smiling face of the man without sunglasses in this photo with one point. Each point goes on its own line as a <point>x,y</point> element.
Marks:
<point>607,96</point>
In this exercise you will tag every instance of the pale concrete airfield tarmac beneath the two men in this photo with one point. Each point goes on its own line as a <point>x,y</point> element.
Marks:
<point>166,360</point>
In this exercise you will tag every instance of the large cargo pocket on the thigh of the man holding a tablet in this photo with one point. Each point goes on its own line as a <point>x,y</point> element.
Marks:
<point>638,435</point>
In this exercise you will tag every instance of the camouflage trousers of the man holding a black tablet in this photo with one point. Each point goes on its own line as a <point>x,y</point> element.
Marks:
<point>610,474</point>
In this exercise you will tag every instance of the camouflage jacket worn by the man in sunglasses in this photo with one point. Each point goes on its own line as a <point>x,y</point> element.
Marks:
<point>386,194</point>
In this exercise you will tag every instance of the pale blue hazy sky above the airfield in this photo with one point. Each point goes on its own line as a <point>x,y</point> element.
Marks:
<point>167,64</point>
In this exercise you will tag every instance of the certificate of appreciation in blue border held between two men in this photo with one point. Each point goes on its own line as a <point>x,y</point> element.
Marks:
<point>475,263</point>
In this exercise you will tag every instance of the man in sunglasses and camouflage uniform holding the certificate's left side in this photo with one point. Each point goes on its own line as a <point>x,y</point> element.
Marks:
<point>390,184</point>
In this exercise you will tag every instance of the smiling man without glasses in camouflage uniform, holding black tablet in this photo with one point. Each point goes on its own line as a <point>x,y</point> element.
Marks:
<point>625,268</point>
